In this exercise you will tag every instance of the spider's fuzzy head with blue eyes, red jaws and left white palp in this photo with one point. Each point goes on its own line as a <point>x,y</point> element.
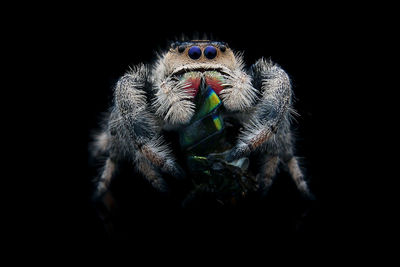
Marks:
<point>188,69</point>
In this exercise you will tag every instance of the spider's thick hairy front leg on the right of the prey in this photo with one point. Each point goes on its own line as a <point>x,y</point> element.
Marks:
<point>272,108</point>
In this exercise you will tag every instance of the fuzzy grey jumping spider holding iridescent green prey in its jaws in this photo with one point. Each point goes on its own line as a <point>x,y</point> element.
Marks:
<point>169,97</point>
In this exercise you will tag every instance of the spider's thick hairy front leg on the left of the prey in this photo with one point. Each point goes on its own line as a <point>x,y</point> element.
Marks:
<point>140,124</point>
